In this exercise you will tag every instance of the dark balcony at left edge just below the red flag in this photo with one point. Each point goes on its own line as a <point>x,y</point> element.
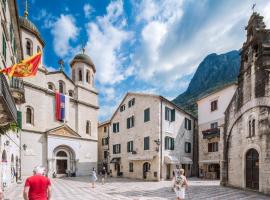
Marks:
<point>8,106</point>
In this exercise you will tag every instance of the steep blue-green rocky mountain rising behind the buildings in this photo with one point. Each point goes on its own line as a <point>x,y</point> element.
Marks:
<point>214,72</point>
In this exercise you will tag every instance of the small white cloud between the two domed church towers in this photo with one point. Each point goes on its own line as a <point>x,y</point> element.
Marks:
<point>64,31</point>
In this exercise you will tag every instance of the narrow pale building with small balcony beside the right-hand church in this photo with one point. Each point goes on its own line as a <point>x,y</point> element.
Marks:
<point>211,121</point>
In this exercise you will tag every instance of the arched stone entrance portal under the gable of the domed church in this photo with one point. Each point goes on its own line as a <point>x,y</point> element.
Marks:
<point>65,162</point>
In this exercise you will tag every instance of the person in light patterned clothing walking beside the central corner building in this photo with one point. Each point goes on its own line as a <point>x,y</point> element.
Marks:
<point>180,184</point>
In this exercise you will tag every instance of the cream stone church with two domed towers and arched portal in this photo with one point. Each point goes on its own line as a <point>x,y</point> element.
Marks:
<point>67,146</point>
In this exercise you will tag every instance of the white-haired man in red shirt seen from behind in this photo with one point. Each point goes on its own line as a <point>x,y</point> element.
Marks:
<point>38,186</point>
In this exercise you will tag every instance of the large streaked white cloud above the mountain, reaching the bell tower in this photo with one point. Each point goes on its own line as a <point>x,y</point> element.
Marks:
<point>177,35</point>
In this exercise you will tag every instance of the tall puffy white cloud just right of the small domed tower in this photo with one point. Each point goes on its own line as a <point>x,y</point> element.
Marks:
<point>106,37</point>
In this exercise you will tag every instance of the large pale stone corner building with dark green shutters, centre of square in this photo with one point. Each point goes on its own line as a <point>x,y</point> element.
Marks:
<point>149,136</point>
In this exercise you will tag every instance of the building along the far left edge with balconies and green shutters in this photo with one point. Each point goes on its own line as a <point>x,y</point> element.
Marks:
<point>10,91</point>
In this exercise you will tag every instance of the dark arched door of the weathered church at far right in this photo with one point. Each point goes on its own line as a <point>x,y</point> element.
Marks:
<point>252,169</point>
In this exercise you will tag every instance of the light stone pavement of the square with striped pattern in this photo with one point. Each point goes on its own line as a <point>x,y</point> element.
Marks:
<point>79,188</point>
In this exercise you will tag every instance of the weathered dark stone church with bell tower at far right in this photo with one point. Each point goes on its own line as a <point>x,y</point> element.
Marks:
<point>247,134</point>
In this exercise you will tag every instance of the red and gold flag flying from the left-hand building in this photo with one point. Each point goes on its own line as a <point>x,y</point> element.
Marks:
<point>26,68</point>
